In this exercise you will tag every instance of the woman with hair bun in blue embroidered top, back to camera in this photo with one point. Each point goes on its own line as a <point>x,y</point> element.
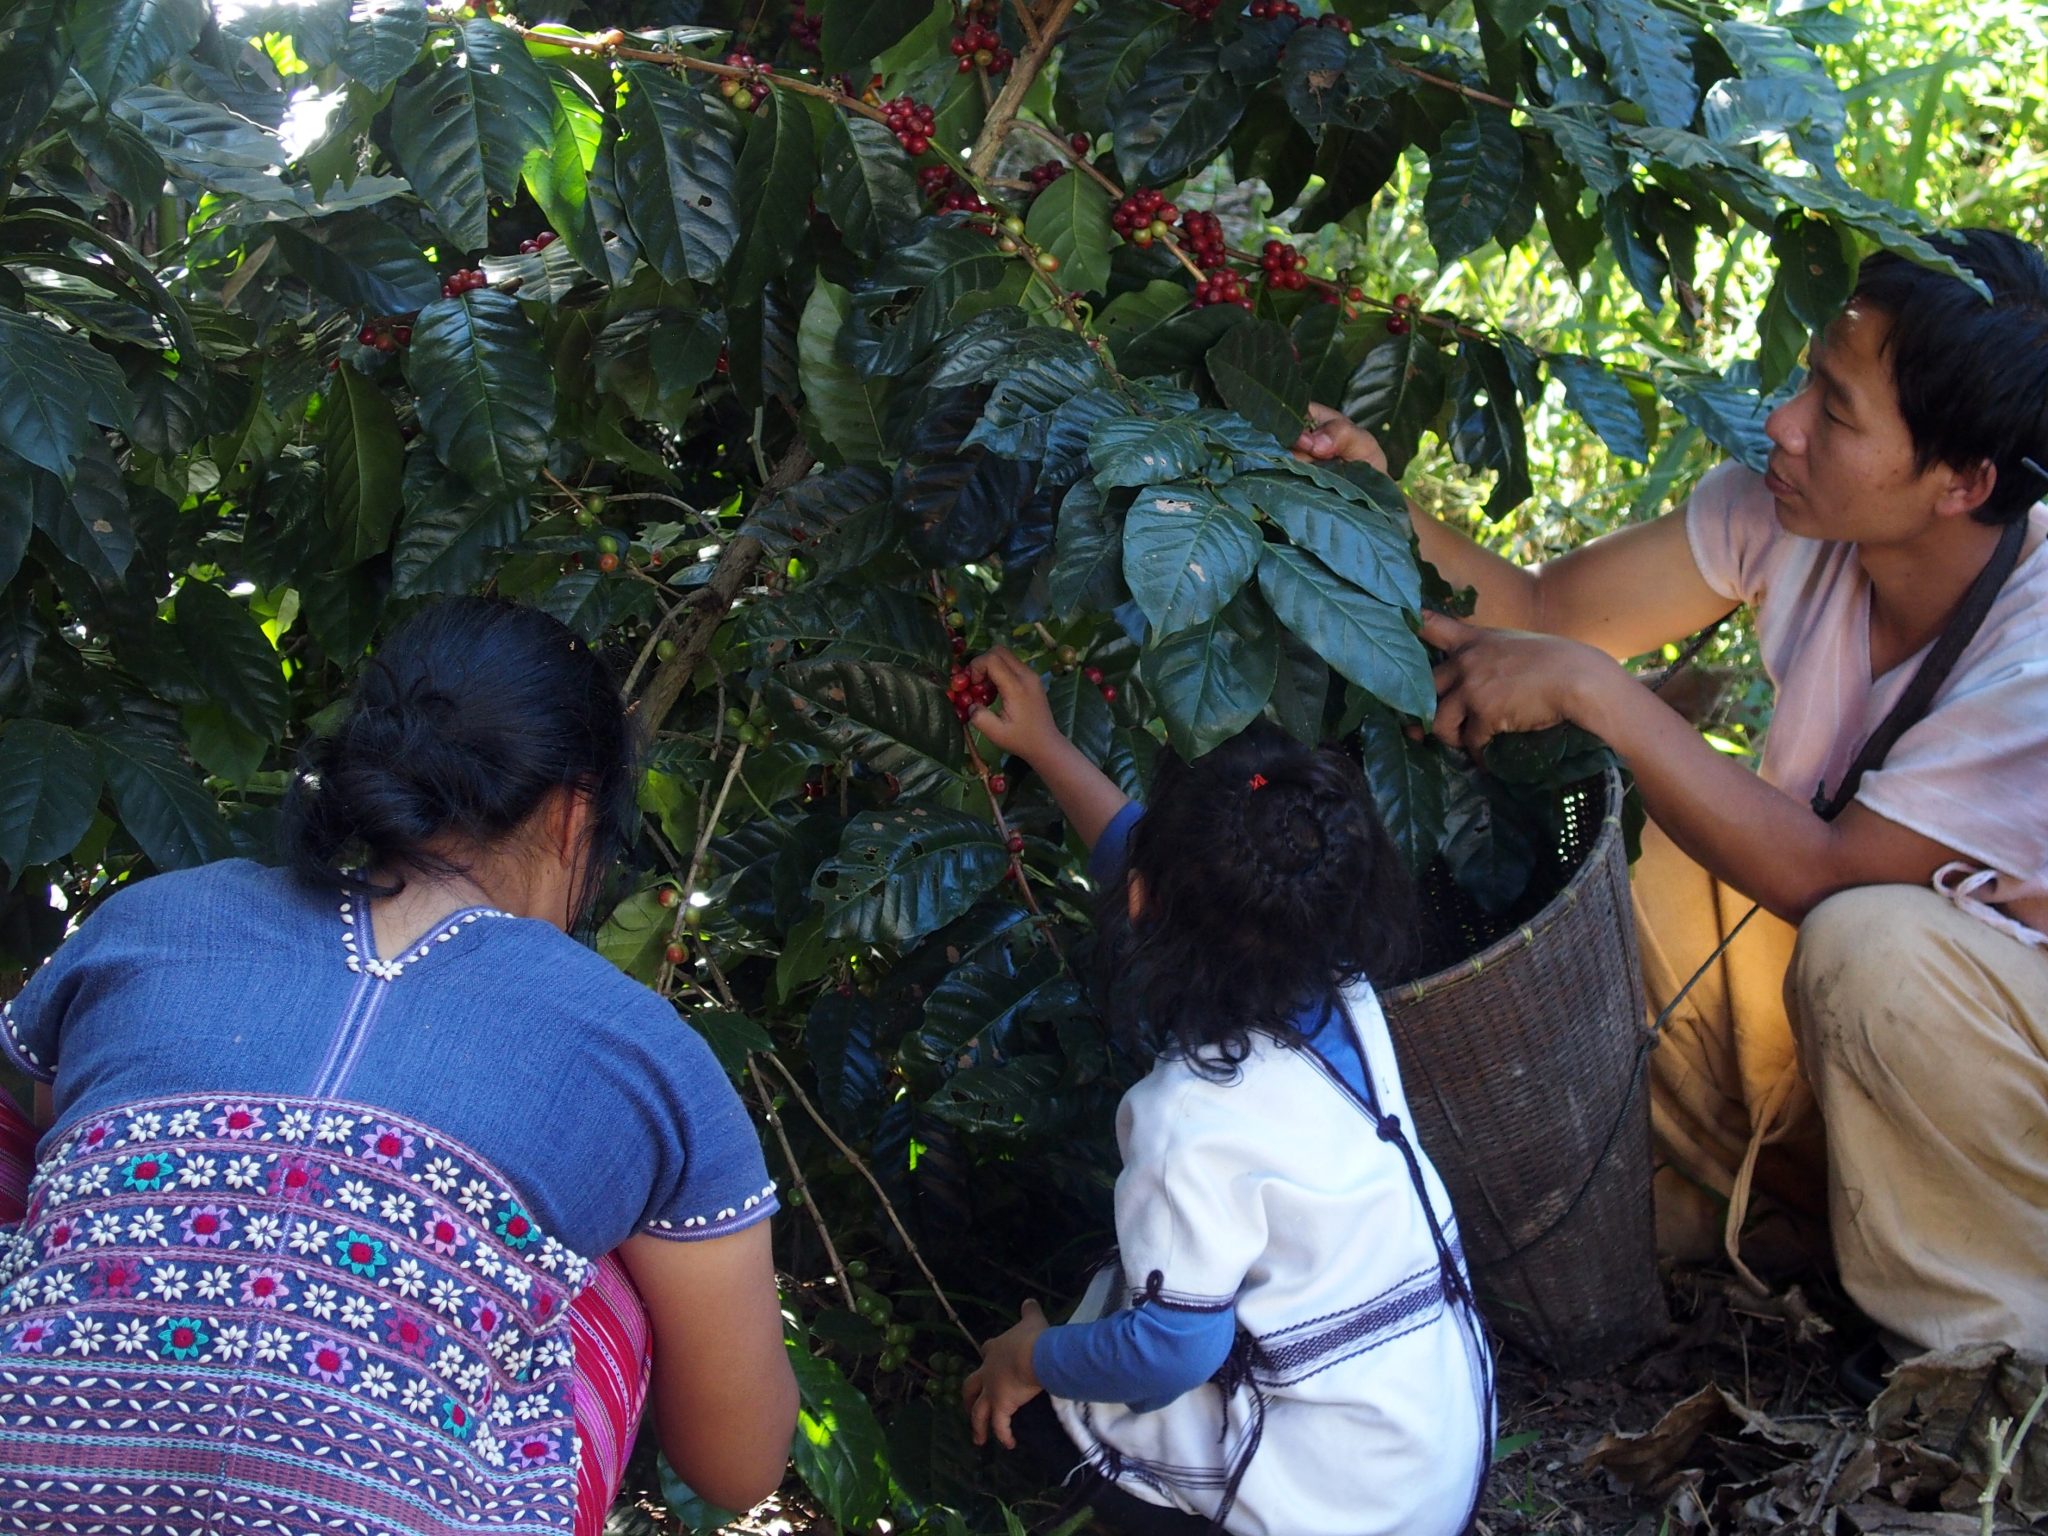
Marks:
<point>335,1154</point>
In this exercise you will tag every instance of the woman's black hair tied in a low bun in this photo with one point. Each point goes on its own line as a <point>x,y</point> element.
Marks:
<point>462,724</point>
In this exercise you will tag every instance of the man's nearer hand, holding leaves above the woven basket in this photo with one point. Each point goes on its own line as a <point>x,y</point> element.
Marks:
<point>1496,681</point>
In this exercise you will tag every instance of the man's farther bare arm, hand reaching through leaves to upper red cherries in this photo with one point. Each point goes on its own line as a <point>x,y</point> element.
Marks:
<point>1625,593</point>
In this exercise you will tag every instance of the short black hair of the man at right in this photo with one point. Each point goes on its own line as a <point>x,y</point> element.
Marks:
<point>1971,376</point>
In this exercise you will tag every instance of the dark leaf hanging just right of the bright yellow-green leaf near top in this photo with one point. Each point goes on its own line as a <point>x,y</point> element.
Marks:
<point>677,167</point>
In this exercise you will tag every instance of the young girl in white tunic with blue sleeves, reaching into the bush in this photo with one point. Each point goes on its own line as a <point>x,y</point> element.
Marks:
<point>1287,1345</point>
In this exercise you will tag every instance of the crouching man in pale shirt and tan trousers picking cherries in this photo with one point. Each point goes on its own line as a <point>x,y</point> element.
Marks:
<point>1908,931</point>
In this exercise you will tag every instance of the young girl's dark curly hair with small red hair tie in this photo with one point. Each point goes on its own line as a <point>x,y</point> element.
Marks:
<point>1267,882</point>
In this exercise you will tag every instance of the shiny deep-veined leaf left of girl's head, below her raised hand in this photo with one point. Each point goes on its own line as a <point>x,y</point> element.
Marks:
<point>904,873</point>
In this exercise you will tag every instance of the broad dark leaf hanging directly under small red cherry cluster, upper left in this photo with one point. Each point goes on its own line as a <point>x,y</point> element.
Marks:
<point>484,390</point>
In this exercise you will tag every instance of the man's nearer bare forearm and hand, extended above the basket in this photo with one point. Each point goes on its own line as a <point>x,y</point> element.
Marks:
<point>1750,835</point>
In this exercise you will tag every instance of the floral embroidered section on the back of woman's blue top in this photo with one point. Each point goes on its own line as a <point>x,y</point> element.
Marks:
<point>351,1271</point>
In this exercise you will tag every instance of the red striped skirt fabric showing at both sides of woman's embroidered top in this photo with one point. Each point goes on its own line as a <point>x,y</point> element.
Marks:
<point>607,1324</point>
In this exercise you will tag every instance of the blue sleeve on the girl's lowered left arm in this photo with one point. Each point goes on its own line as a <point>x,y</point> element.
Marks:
<point>1144,1357</point>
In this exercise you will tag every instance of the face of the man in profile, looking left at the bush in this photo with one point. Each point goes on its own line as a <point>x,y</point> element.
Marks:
<point>1842,456</point>
